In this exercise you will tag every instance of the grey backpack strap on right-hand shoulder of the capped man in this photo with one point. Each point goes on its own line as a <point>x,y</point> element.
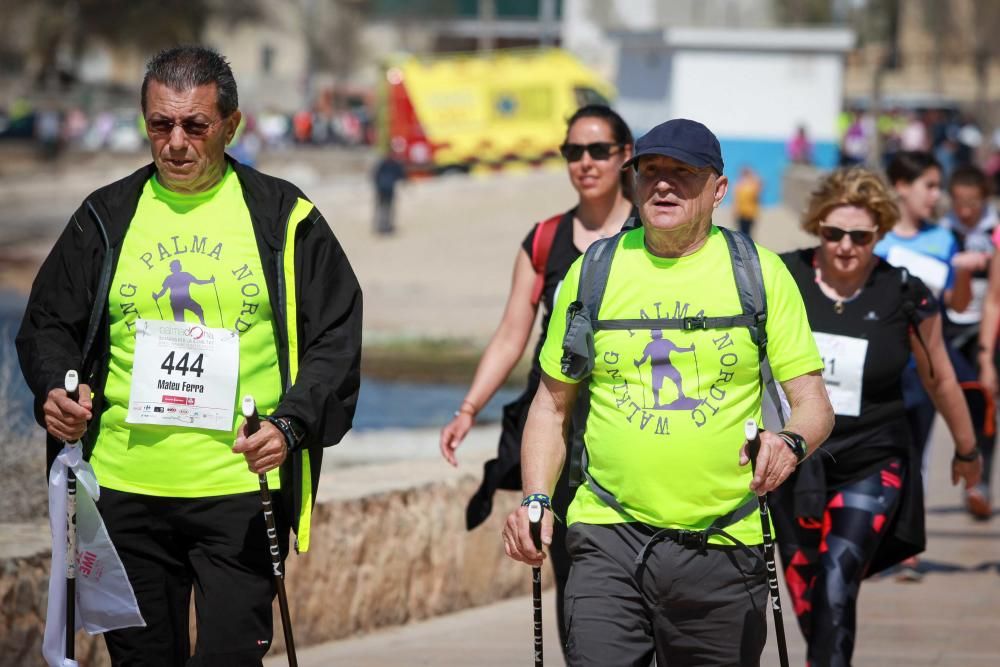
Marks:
<point>753,299</point>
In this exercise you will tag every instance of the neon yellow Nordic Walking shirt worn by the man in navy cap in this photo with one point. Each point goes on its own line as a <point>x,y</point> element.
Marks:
<point>667,408</point>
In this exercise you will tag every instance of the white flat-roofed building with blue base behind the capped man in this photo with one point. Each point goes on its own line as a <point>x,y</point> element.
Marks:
<point>753,88</point>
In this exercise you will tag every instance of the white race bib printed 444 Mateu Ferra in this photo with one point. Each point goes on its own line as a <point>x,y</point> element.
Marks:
<point>184,375</point>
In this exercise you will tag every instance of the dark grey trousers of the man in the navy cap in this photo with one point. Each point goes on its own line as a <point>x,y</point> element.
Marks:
<point>689,609</point>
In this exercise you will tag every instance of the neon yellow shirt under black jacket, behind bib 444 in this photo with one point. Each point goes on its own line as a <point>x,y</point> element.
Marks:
<point>190,258</point>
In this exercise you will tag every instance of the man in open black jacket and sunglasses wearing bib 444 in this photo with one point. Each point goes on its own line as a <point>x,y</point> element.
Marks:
<point>262,301</point>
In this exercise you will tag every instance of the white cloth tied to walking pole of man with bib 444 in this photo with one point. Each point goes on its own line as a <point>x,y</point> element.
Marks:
<point>104,597</point>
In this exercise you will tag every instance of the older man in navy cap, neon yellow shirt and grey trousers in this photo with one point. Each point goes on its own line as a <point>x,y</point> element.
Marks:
<point>666,556</point>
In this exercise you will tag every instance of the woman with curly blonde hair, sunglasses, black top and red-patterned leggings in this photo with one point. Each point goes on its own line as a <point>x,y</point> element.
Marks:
<point>855,507</point>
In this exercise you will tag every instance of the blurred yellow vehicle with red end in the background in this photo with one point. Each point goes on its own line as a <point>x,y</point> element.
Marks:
<point>463,112</point>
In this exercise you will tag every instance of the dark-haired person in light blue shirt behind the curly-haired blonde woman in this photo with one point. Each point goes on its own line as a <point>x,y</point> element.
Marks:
<point>931,253</point>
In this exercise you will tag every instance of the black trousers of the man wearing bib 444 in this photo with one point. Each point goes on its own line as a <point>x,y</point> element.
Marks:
<point>216,547</point>
